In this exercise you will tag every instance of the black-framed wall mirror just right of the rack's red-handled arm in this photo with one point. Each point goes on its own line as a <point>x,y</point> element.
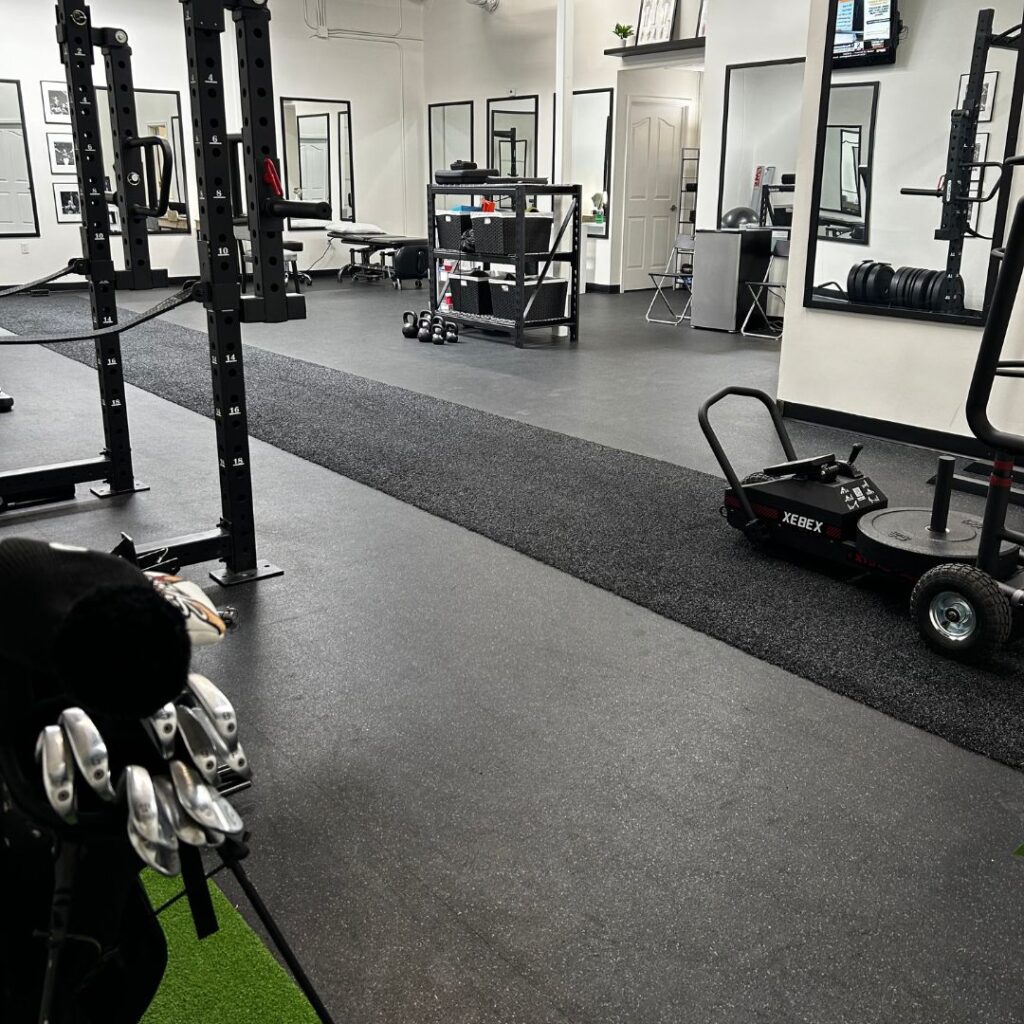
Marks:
<point>318,150</point>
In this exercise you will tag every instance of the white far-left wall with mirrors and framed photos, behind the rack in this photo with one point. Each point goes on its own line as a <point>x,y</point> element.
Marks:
<point>382,78</point>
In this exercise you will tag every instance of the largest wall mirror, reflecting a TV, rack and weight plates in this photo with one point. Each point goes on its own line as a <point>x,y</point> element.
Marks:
<point>886,127</point>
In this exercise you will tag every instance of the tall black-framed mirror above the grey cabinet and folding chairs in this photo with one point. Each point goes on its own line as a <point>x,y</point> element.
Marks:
<point>760,139</point>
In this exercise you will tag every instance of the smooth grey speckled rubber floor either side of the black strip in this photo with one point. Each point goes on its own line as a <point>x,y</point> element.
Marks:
<point>488,792</point>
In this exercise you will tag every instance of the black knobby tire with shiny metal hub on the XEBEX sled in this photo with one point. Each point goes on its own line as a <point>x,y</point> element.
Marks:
<point>961,612</point>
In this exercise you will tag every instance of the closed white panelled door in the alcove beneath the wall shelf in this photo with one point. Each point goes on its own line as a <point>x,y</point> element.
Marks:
<point>653,168</point>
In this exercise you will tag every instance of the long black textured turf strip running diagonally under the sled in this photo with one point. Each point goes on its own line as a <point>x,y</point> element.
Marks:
<point>645,530</point>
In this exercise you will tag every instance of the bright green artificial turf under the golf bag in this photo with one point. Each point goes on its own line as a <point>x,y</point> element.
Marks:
<point>229,978</point>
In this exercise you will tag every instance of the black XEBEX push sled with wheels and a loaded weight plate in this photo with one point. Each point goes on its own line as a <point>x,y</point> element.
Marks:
<point>969,573</point>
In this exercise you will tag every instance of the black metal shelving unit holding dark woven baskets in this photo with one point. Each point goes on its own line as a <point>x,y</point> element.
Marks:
<point>572,226</point>
